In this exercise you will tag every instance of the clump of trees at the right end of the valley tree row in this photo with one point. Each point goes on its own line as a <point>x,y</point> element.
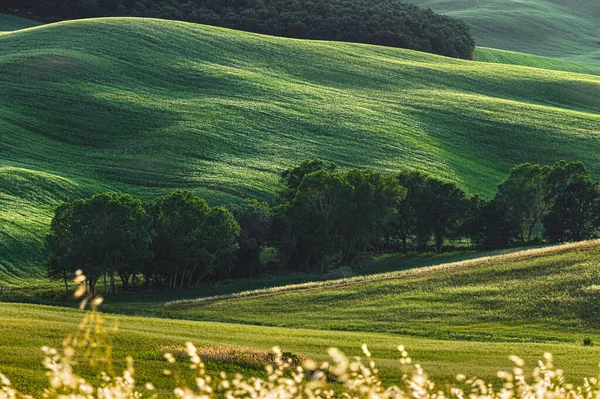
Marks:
<point>537,202</point>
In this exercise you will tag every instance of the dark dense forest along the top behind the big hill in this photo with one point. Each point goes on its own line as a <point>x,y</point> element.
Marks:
<point>390,22</point>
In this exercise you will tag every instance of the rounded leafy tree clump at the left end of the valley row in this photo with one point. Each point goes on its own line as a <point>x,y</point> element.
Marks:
<point>174,241</point>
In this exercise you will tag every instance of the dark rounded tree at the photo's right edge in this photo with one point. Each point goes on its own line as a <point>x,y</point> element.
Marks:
<point>574,203</point>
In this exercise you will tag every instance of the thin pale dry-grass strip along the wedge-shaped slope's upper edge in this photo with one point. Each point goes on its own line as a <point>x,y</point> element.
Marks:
<point>346,282</point>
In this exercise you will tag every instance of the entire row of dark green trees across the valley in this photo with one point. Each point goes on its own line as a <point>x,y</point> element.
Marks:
<point>324,217</point>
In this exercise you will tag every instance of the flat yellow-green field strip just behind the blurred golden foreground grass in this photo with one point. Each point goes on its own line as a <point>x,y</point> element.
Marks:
<point>26,328</point>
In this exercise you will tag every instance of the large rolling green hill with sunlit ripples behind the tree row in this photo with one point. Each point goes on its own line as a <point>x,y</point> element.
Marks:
<point>147,106</point>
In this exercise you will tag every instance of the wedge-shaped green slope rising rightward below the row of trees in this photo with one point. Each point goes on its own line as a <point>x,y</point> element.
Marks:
<point>549,294</point>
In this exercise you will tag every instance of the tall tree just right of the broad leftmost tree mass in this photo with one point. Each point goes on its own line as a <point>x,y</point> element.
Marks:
<point>178,245</point>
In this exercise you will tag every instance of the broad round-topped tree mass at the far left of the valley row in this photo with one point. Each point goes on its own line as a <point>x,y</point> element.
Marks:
<point>106,234</point>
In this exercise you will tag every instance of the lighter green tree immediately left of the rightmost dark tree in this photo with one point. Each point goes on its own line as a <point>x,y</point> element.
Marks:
<point>523,196</point>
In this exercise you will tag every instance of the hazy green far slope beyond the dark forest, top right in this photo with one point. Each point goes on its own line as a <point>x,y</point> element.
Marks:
<point>568,29</point>
